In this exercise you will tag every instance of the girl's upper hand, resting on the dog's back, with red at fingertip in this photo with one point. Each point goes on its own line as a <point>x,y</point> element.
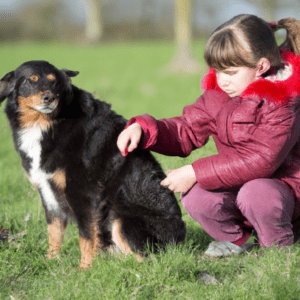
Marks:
<point>131,134</point>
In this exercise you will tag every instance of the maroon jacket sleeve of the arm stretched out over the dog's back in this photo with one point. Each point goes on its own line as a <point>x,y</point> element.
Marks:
<point>177,136</point>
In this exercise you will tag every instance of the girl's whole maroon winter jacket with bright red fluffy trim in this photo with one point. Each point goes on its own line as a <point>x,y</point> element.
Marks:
<point>256,134</point>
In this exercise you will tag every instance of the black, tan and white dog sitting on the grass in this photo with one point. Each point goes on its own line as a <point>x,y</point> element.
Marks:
<point>67,143</point>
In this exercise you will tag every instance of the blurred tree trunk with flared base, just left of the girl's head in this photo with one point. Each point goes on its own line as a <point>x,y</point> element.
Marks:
<point>184,61</point>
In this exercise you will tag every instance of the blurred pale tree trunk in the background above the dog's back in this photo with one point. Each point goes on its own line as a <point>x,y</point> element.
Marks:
<point>94,28</point>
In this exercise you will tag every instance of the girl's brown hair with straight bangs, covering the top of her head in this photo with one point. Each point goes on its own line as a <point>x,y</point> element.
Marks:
<point>243,41</point>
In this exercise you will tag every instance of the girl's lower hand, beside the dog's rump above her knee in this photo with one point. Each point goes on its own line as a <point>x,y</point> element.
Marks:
<point>180,180</point>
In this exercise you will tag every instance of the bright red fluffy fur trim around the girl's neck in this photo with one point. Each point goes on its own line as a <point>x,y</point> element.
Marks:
<point>278,92</point>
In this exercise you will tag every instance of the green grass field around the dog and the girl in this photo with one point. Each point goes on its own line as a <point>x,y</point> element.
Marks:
<point>130,77</point>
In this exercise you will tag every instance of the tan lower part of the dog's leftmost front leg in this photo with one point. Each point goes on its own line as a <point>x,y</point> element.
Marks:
<point>56,230</point>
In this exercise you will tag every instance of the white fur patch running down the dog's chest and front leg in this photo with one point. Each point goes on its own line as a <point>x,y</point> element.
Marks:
<point>30,142</point>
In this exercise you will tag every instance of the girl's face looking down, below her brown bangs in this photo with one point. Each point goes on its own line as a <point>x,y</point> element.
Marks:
<point>235,80</point>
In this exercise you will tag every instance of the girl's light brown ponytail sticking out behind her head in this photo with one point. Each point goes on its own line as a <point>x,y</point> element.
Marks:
<point>292,41</point>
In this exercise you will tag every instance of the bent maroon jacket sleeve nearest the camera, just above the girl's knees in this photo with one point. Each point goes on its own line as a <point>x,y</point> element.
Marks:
<point>260,136</point>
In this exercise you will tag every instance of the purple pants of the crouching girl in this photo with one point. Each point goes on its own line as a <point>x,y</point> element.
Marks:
<point>267,204</point>
